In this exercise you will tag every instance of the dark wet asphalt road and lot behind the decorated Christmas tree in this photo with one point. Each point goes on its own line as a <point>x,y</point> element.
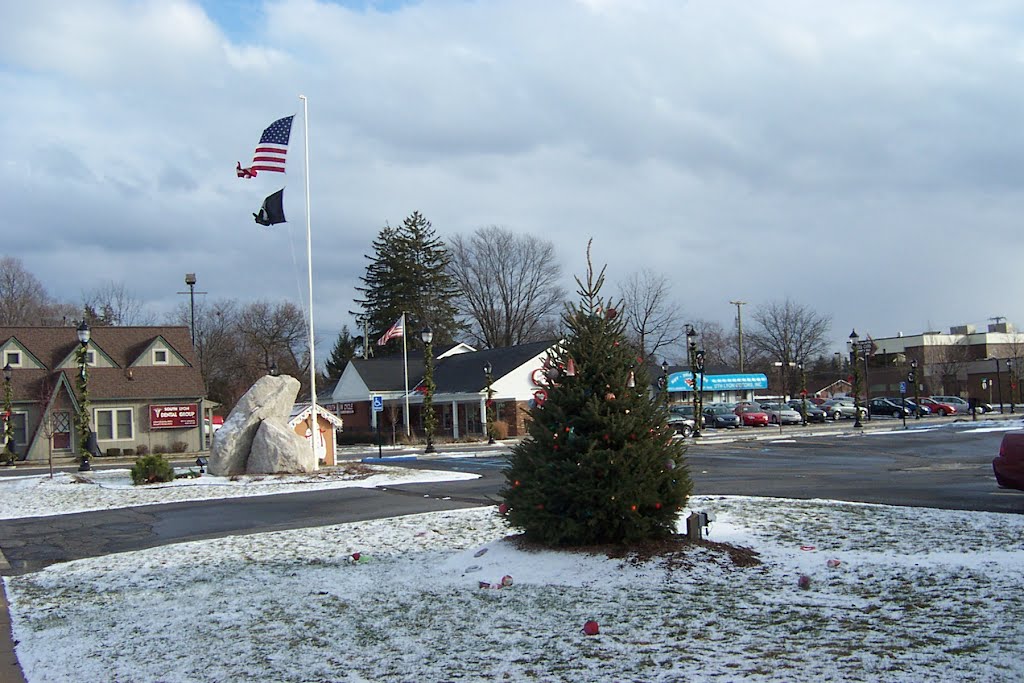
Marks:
<point>944,468</point>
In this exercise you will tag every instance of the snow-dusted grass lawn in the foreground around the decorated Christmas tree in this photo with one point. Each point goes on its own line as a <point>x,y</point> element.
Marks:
<point>918,595</point>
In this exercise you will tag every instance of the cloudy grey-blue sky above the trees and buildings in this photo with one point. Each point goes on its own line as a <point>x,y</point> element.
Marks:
<point>863,158</point>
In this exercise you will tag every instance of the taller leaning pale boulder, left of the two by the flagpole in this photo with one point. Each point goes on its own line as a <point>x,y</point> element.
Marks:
<point>270,398</point>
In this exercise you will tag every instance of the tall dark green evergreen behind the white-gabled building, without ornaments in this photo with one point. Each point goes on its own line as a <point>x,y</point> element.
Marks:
<point>409,273</point>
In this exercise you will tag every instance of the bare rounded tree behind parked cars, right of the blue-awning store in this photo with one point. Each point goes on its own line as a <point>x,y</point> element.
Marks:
<point>789,333</point>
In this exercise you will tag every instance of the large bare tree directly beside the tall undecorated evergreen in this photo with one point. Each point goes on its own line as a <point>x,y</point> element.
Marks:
<point>509,291</point>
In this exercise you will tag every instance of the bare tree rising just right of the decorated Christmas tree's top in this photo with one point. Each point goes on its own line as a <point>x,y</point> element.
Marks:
<point>654,321</point>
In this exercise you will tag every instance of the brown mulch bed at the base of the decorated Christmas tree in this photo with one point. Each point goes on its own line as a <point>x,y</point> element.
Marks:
<point>675,552</point>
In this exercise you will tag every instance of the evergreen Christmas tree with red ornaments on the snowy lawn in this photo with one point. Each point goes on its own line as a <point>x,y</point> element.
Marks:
<point>600,464</point>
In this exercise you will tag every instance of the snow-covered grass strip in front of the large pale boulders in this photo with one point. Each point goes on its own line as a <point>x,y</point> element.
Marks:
<point>37,496</point>
